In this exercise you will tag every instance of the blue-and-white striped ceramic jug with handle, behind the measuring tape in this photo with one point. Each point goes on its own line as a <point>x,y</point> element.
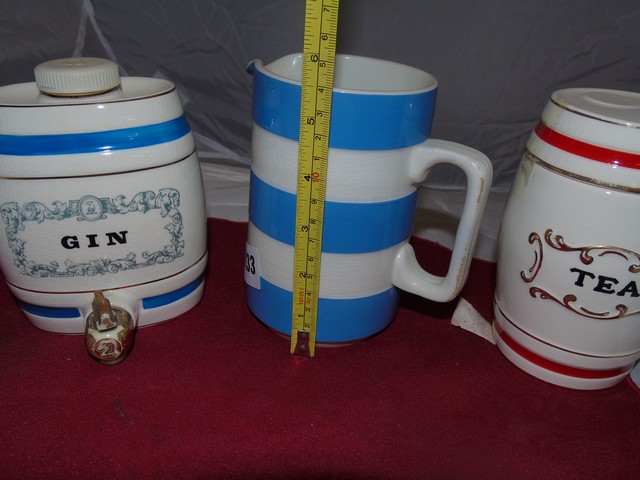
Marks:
<point>376,162</point>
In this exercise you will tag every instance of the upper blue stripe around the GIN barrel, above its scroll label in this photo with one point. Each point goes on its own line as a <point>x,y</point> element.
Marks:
<point>94,142</point>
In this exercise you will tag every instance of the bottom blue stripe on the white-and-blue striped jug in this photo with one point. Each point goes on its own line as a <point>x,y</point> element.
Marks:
<point>346,320</point>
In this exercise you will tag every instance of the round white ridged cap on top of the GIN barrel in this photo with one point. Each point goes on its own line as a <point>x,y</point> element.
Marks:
<point>77,76</point>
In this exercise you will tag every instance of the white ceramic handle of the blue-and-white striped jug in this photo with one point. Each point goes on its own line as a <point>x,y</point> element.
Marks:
<point>407,272</point>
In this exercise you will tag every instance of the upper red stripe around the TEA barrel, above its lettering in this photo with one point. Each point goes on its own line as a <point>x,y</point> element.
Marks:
<point>587,150</point>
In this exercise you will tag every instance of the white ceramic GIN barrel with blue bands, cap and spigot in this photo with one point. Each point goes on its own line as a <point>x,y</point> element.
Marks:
<point>102,203</point>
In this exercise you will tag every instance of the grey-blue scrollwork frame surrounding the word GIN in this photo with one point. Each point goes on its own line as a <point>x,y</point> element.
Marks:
<point>90,209</point>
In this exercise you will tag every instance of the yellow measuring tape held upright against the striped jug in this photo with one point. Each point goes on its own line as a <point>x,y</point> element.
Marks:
<point>320,32</point>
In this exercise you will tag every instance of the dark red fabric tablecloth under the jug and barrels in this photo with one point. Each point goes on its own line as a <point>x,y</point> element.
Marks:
<point>214,394</point>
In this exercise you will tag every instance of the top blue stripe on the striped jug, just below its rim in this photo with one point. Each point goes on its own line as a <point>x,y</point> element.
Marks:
<point>358,121</point>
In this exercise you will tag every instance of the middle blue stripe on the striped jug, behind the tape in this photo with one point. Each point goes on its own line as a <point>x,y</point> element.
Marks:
<point>347,228</point>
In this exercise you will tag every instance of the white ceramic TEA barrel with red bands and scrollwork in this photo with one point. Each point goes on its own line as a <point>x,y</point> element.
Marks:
<point>567,302</point>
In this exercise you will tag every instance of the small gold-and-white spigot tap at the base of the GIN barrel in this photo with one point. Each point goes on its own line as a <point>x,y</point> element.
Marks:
<point>108,331</point>
